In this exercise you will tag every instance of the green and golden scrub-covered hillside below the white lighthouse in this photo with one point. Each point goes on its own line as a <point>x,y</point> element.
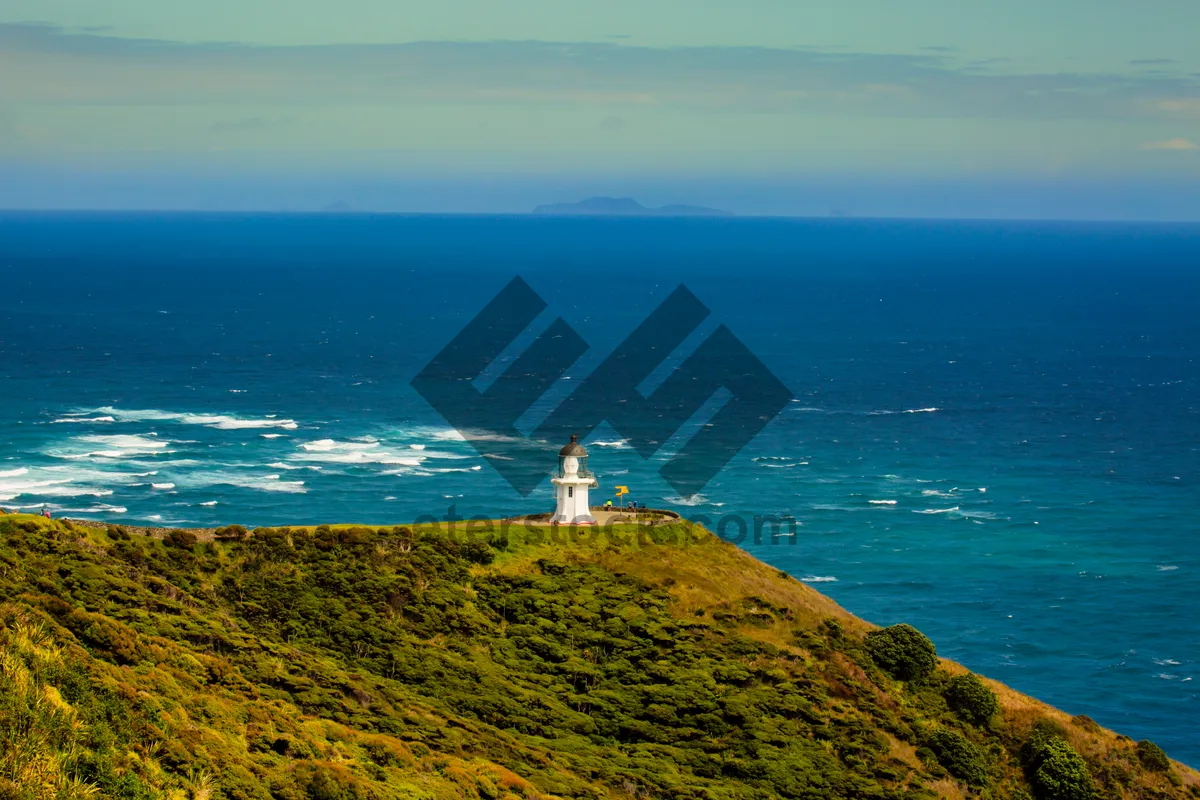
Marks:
<point>355,663</point>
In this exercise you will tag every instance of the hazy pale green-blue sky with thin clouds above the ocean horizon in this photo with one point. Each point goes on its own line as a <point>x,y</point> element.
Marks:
<point>769,106</point>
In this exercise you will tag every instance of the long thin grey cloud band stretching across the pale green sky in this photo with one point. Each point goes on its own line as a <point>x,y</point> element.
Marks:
<point>69,68</point>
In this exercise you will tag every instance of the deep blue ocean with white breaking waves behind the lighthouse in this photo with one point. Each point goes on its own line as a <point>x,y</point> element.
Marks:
<point>995,434</point>
